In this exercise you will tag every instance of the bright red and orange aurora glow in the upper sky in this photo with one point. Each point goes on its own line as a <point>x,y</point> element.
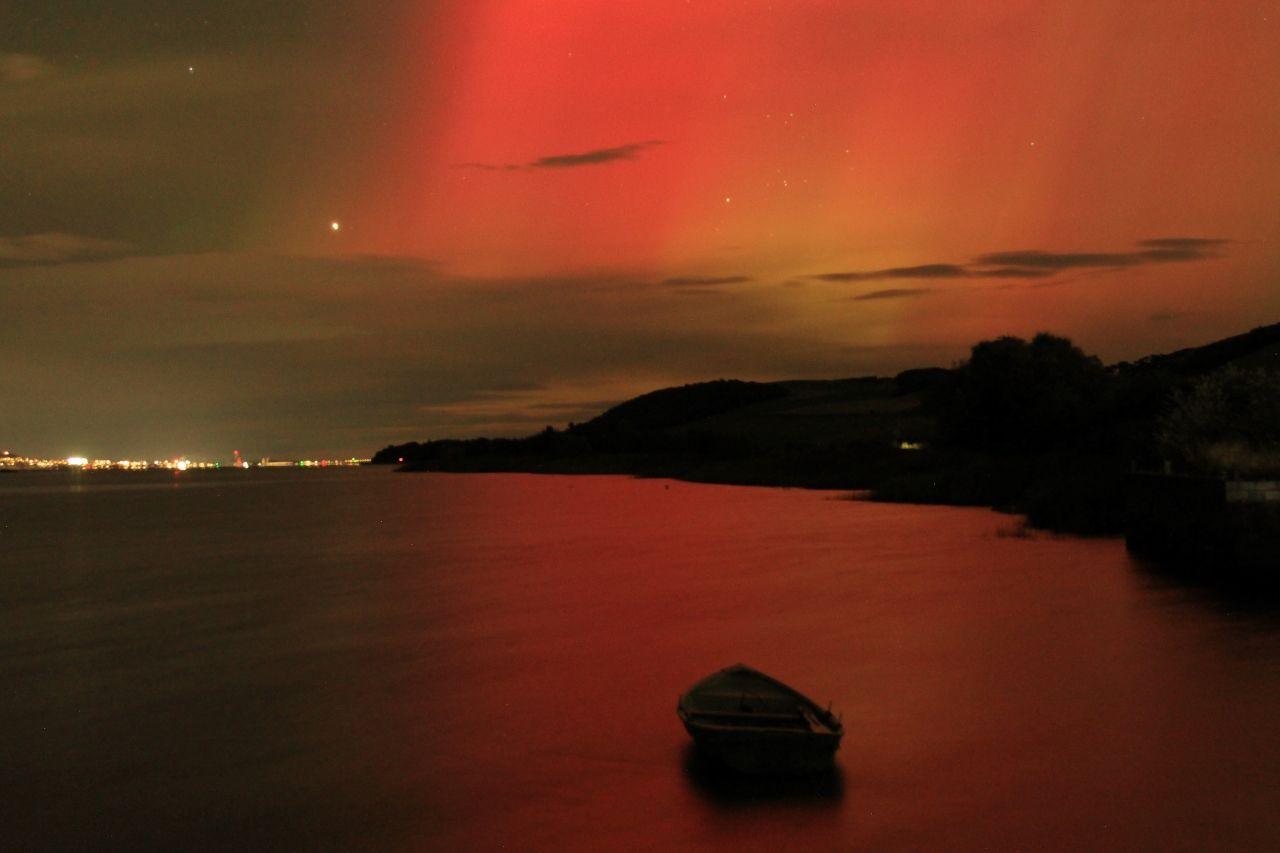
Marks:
<point>796,139</point>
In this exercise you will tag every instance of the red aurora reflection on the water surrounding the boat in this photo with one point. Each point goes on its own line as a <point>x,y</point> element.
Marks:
<point>996,691</point>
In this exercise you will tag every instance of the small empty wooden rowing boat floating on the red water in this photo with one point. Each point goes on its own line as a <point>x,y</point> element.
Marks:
<point>760,726</point>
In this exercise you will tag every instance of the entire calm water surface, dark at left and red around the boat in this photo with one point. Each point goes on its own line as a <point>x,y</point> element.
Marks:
<point>368,660</point>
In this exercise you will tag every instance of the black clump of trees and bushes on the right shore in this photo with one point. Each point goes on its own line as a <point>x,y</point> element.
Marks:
<point>1043,428</point>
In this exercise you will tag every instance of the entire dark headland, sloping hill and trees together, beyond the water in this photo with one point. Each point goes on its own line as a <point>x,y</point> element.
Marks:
<point>1036,427</point>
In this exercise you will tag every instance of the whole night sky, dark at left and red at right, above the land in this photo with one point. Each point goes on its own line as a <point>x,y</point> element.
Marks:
<point>316,229</point>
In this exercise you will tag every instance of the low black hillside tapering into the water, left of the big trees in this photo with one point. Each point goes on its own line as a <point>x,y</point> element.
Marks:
<point>706,430</point>
